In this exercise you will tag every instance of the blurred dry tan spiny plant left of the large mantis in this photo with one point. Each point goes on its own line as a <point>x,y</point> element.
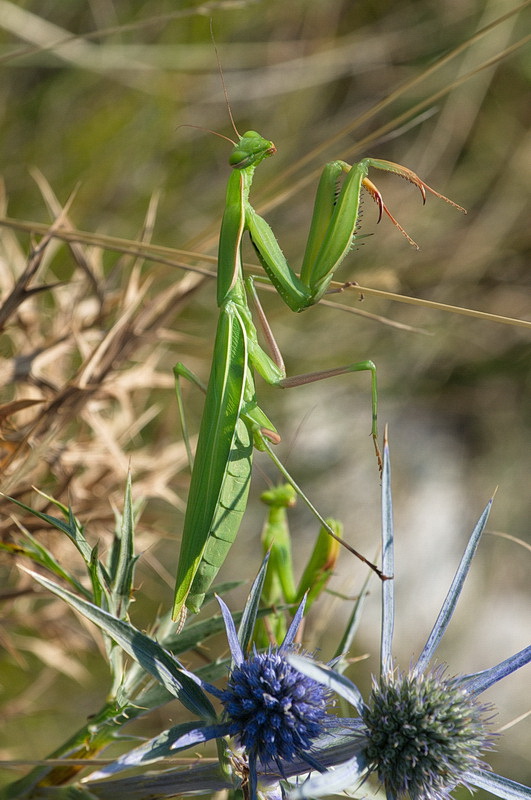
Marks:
<point>93,388</point>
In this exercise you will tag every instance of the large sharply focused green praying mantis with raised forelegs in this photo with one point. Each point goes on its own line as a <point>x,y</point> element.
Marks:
<point>232,422</point>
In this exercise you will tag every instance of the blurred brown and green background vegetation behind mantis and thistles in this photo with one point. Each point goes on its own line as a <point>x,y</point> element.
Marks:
<point>93,98</point>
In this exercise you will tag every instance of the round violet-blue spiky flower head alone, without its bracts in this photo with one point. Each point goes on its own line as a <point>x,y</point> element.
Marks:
<point>275,712</point>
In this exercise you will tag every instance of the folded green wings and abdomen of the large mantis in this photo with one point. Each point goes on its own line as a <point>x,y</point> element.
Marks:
<point>223,454</point>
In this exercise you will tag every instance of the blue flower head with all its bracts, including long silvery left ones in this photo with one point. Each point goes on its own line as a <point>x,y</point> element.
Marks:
<point>273,720</point>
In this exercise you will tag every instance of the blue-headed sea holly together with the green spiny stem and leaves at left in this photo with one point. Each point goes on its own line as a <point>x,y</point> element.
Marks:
<point>145,674</point>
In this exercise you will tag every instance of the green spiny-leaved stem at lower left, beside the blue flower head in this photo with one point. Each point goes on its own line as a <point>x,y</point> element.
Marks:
<point>132,691</point>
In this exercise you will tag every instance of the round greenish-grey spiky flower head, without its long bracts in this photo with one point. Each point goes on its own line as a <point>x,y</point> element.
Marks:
<point>424,734</point>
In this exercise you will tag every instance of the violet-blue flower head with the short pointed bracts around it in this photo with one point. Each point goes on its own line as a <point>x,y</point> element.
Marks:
<point>273,713</point>
